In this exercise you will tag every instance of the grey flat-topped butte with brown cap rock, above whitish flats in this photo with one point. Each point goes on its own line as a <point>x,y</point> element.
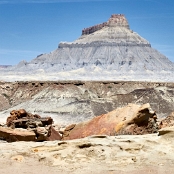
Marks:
<point>109,45</point>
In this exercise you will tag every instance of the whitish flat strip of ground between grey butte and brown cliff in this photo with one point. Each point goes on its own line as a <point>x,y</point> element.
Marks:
<point>93,74</point>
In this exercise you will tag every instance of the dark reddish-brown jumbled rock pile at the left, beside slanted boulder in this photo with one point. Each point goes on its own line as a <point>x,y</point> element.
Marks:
<point>24,126</point>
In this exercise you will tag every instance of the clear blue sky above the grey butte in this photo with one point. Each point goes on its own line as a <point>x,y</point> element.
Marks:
<point>32,27</point>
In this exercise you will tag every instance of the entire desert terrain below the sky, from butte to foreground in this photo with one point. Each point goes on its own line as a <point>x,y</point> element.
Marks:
<point>111,97</point>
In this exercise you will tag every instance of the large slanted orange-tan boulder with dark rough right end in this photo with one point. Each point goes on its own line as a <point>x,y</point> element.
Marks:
<point>132,119</point>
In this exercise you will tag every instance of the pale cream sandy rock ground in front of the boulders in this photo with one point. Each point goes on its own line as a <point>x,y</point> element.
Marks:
<point>93,155</point>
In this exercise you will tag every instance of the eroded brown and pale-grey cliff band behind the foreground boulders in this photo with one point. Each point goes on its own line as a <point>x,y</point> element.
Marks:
<point>76,101</point>
